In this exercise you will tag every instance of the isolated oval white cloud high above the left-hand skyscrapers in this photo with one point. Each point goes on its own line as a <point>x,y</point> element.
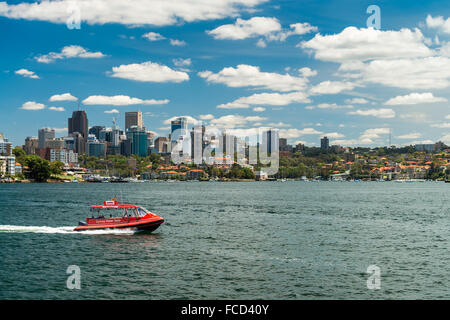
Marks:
<point>148,72</point>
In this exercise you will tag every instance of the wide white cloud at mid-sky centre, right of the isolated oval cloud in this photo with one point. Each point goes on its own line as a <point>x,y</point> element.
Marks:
<point>251,76</point>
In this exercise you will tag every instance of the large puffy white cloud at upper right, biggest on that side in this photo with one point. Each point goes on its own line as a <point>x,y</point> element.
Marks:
<point>353,44</point>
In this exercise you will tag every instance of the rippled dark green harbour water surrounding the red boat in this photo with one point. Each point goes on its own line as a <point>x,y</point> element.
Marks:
<point>235,240</point>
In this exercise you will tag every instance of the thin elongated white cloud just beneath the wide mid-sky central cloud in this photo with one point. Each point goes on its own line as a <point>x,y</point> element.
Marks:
<point>272,99</point>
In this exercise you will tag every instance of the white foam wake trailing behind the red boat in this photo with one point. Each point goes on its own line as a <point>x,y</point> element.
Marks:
<point>60,230</point>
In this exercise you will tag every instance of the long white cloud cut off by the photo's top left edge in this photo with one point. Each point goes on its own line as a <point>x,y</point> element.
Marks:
<point>136,12</point>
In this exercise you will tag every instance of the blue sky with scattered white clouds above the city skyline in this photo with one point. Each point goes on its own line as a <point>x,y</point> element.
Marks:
<point>309,68</point>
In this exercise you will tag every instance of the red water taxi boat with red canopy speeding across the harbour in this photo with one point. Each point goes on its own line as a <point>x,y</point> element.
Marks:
<point>130,216</point>
